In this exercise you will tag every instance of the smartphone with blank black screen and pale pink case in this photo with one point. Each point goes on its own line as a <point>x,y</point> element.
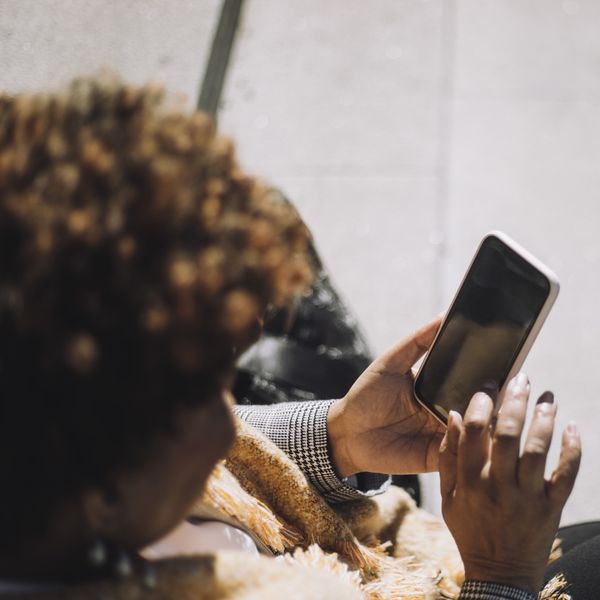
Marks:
<point>489,328</point>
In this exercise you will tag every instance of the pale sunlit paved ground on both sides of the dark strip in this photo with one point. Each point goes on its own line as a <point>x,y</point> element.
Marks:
<point>403,130</point>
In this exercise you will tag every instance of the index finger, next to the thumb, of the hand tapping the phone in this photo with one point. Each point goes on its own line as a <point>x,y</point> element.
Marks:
<point>474,443</point>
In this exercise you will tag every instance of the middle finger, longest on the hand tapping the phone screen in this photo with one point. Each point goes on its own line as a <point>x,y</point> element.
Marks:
<point>507,435</point>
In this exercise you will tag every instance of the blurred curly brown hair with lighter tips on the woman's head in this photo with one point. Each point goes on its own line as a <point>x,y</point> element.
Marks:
<point>135,261</point>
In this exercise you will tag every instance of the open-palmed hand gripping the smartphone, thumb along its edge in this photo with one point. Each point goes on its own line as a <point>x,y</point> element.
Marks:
<point>379,426</point>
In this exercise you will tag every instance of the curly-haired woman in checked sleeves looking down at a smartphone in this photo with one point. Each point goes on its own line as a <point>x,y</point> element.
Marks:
<point>136,260</point>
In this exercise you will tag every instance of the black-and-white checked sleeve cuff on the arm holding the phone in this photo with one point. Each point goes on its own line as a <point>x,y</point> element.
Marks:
<point>300,430</point>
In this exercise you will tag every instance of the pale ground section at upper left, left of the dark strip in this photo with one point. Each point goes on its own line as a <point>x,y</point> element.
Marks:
<point>47,42</point>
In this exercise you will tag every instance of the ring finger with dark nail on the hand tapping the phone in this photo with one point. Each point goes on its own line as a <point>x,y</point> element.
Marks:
<point>530,473</point>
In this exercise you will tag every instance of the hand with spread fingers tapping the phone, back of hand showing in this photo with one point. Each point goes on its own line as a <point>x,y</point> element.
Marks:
<point>496,502</point>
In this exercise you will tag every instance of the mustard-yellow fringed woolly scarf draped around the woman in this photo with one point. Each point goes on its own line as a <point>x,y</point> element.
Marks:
<point>373,549</point>
